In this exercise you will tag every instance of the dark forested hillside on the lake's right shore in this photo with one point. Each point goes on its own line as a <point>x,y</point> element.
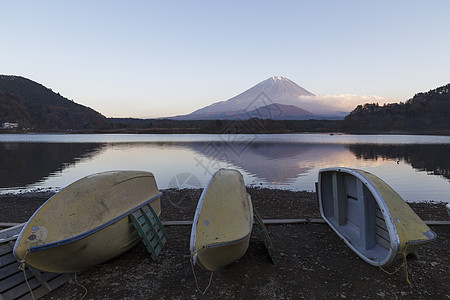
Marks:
<point>425,112</point>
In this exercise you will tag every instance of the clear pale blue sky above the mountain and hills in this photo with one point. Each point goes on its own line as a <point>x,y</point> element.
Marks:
<point>163,58</point>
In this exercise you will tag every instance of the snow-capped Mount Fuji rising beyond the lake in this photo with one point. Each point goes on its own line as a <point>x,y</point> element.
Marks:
<point>277,98</point>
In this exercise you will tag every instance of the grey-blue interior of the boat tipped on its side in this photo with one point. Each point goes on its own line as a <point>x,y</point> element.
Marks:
<point>351,209</point>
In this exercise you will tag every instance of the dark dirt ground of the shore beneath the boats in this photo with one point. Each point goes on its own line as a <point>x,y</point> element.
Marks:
<point>313,263</point>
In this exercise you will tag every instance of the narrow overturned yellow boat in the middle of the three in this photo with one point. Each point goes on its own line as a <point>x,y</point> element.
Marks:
<point>223,221</point>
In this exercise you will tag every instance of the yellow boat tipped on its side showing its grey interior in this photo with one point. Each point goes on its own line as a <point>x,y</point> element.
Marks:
<point>371,218</point>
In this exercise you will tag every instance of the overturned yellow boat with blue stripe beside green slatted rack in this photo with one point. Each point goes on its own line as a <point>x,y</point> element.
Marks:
<point>87,222</point>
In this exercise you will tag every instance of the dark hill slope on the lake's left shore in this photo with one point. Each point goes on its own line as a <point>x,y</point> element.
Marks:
<point>31,104</point>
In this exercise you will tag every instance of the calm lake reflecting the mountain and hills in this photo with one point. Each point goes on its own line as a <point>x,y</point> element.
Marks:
<point>417,167</point>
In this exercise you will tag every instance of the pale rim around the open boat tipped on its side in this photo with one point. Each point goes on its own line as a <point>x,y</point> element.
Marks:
<point>394,237</point>
